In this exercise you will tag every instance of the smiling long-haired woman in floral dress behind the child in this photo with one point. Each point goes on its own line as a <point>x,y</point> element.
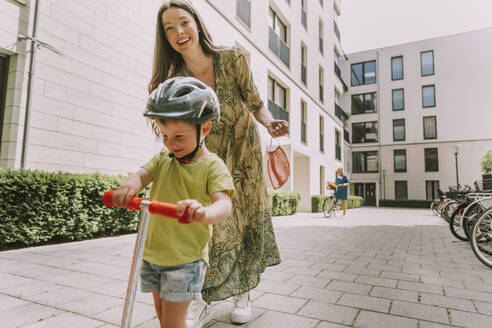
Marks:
<point>243,245</point>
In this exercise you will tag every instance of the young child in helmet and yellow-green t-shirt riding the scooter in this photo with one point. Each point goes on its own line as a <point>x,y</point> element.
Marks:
<point>175,254</point>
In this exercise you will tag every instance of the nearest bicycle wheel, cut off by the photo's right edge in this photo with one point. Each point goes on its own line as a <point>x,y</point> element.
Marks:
<point>481,238</point>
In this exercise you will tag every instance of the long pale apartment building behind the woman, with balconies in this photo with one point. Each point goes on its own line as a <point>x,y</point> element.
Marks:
<point>93,63</point>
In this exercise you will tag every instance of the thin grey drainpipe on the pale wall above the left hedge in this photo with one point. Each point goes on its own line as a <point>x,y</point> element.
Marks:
<point>29,84</point>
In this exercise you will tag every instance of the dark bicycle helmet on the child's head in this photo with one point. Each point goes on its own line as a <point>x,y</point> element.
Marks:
<point>183,98</point>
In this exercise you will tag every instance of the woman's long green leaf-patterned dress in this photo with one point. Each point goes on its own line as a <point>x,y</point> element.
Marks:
<point>243,245</point>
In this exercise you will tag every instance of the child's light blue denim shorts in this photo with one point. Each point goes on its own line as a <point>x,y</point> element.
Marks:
<point>174,283</point>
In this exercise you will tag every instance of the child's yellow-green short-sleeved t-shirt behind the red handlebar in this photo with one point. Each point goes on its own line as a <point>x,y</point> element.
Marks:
<point>168,242</point>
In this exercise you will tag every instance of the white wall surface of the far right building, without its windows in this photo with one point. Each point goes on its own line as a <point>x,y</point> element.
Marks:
<point>462,109</point>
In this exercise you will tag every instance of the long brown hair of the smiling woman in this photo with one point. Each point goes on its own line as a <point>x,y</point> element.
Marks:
<point>166,59</point>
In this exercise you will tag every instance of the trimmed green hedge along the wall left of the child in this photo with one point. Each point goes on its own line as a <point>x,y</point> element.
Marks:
<point>39,207</point>
